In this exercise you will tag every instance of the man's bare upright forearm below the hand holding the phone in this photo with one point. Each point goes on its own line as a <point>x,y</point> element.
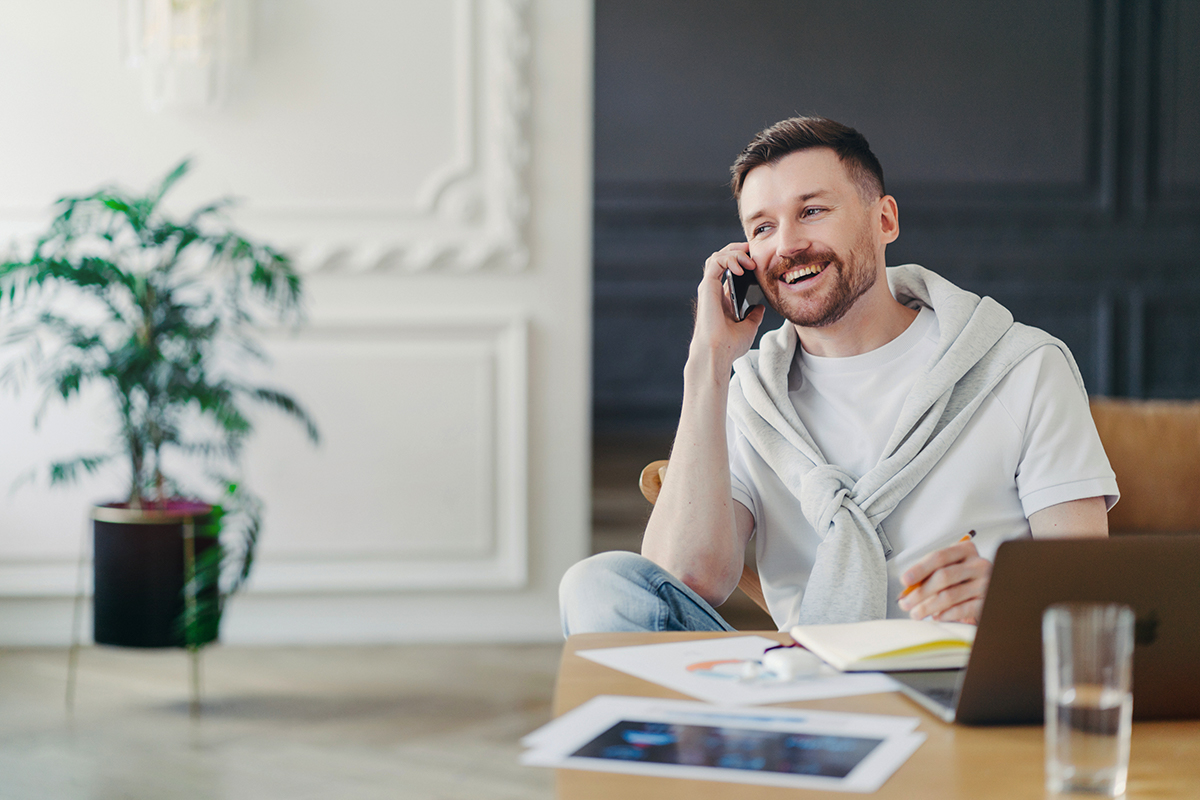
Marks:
<point>693,532</point>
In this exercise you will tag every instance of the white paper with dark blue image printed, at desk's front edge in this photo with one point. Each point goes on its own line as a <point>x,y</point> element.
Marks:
<point>787,748</point>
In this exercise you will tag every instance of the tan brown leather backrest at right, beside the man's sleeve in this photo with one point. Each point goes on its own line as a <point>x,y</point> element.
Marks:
<point>1155,452</point>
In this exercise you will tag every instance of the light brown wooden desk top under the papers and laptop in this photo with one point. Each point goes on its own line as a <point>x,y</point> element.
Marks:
<point>958,762</point>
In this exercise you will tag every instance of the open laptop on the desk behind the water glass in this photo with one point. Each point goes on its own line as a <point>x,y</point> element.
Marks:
<point>1157,576</point>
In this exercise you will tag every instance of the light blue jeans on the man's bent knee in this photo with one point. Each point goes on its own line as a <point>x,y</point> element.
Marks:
<point>626,592</point>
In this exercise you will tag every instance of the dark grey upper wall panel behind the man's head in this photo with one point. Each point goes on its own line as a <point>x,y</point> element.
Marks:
<point>959,101</point>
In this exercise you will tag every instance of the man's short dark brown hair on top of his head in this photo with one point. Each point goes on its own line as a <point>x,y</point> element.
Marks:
<point>806,134</point>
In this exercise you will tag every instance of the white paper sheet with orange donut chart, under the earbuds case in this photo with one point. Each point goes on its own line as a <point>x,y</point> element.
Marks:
<point>710,670</point>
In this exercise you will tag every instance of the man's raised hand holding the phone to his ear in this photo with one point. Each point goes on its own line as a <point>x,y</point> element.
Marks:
<point>717,332</point>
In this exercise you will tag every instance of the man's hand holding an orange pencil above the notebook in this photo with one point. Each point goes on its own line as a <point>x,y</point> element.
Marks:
<point>950,585</point>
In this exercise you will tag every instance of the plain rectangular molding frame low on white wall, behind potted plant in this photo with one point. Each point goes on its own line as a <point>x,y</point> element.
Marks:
<point>501,562</point>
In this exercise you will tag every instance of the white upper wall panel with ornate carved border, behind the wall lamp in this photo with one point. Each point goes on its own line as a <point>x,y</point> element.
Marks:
<point>407,143</point>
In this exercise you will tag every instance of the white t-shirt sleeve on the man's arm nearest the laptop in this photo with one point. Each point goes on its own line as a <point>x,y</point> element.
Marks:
<point>1063,459</point>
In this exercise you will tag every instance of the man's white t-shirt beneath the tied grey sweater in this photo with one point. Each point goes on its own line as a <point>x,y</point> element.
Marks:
<point>1033,444</point>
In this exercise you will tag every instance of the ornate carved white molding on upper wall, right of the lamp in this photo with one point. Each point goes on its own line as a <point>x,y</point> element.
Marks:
<point>472,214</point>
